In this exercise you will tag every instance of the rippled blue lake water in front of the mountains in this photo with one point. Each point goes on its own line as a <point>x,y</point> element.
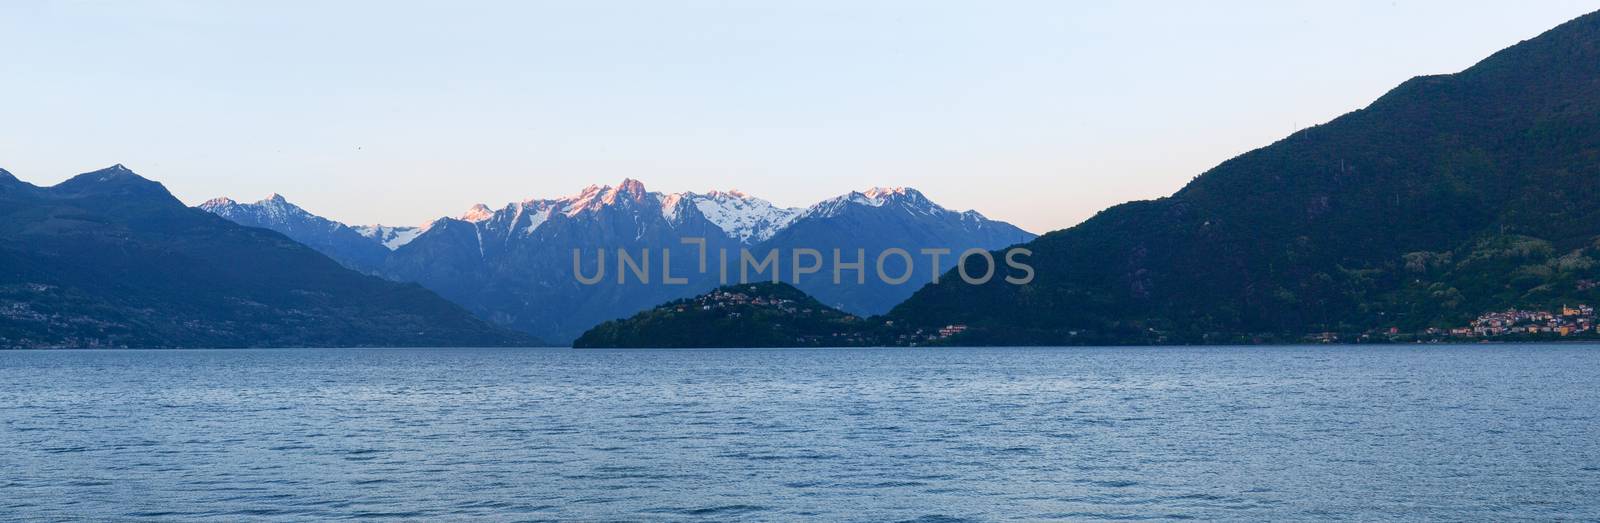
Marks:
<point>1458,433</point>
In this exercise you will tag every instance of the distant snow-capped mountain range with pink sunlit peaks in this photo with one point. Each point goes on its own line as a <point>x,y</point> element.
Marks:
<point>514,265</point>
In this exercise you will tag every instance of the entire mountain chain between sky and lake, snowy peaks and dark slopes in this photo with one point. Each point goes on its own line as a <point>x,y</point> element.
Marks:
<point>1449,198</point>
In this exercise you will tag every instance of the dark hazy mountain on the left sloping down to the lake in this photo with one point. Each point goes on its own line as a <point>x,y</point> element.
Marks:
<point>111,260</point>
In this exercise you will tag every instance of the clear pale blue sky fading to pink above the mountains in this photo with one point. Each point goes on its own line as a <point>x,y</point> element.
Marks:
<point>398,113</point>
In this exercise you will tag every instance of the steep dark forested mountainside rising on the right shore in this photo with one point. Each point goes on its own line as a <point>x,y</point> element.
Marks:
<point>1446,198</point>
